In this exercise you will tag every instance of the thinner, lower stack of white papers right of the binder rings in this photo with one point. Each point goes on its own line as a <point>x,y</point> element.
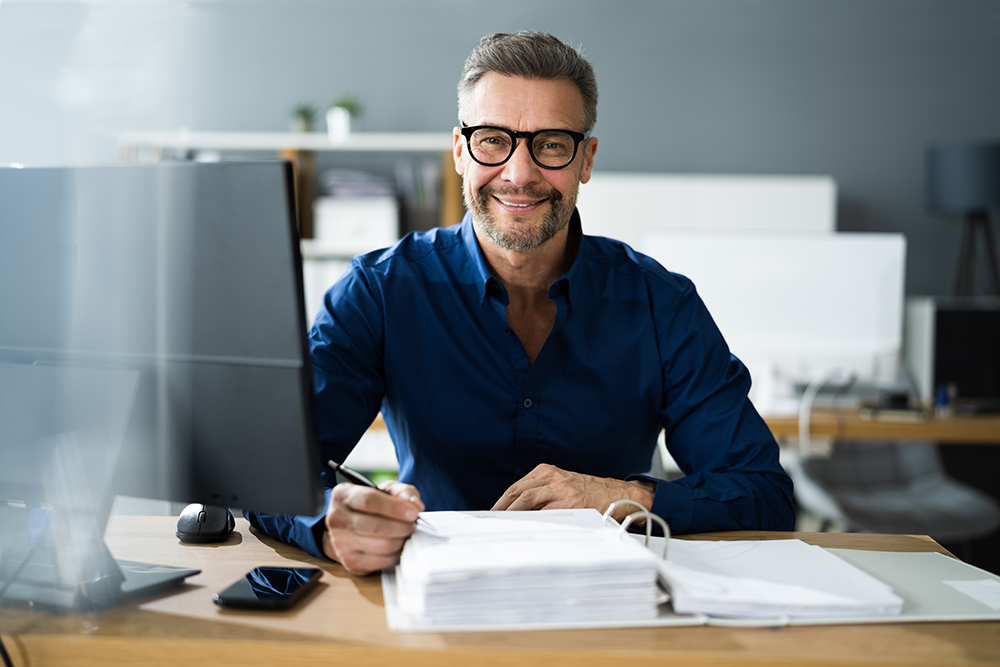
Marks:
<point>771,579</point>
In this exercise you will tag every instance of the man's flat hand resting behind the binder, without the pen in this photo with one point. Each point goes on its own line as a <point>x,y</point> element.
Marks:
<point>549,487</point>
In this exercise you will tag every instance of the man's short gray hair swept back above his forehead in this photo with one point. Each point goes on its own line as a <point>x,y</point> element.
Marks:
<point>530,54</point>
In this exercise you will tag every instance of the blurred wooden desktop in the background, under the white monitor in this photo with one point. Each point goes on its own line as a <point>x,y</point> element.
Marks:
<point>846,425</point>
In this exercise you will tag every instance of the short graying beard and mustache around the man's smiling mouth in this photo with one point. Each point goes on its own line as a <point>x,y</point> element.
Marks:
<point>520,238</point>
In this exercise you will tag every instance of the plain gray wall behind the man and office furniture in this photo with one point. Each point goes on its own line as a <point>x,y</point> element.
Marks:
<point>852,88</point>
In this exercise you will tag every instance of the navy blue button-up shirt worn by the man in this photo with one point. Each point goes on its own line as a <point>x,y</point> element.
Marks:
<point>419,332</point>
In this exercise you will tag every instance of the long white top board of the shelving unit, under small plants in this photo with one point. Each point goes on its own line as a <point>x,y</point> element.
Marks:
<point>312,141</point>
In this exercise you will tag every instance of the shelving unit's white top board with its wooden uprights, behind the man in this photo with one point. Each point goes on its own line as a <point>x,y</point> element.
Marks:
<point>300,149</point>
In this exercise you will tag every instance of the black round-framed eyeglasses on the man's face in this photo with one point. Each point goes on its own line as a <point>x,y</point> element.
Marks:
<point>550,149</point>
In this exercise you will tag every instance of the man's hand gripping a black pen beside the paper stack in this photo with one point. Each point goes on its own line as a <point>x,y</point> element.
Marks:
<point>366,529</point>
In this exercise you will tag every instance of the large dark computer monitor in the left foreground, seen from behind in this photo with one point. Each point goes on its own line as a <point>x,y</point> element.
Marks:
<point>153,344</point>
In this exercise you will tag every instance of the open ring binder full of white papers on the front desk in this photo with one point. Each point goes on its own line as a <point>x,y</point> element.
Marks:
<point>563,569</point>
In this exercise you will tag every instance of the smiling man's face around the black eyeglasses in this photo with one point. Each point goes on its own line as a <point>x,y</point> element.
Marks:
<point>519,205</point>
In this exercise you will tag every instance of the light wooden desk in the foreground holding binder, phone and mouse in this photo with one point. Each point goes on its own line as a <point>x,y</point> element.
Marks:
<point>344,623</point>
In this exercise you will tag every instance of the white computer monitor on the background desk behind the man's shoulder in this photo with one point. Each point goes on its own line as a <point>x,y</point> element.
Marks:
<point>797,307</point>
